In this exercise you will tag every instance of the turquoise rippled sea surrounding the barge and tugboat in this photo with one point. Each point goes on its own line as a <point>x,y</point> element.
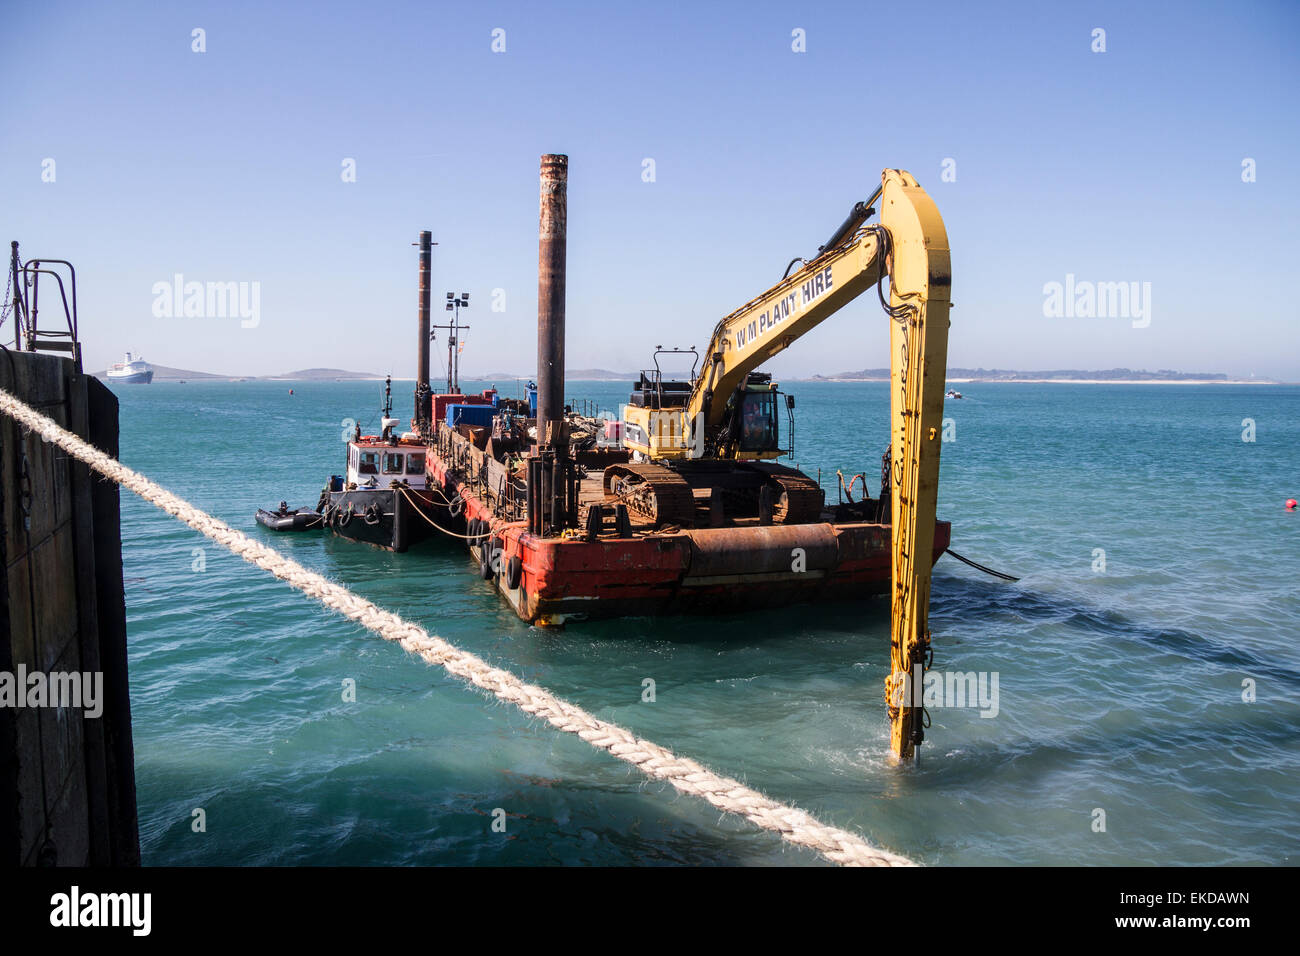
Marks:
<point>1163,689</point>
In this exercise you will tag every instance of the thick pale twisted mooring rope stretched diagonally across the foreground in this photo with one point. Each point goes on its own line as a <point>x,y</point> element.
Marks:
<point>684,775</point>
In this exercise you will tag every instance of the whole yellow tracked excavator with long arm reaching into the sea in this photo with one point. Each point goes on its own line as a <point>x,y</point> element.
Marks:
<point>720,431</point>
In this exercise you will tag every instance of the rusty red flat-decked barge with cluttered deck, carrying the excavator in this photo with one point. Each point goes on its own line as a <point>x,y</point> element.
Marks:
<point>612,561</point>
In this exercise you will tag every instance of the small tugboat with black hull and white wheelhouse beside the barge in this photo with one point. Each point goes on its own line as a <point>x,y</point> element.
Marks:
<point>383,498</point>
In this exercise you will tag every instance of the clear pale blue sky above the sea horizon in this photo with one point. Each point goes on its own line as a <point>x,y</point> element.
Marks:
<point>227,167</point>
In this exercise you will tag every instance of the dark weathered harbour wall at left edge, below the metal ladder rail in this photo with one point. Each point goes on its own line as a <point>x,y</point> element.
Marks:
<point>67,763</point>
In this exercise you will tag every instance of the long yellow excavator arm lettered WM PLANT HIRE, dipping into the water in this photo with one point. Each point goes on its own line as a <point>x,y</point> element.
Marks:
<point>909,245</point>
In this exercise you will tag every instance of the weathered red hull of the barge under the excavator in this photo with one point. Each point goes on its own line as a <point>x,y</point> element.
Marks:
<point>549,581</point>
